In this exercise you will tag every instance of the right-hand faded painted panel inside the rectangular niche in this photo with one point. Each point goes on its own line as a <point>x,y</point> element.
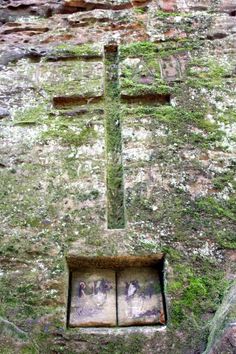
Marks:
<point>139,297</point>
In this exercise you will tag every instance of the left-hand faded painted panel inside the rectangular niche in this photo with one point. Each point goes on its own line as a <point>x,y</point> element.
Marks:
<point>93,300</point>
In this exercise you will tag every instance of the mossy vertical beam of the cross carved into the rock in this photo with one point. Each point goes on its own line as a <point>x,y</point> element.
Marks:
<point>114,171</point>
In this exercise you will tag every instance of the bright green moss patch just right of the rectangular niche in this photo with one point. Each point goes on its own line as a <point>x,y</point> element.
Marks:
<point>198,289</point>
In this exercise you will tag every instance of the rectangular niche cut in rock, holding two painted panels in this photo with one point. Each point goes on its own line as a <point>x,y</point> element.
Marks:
<point>116,291</point>
